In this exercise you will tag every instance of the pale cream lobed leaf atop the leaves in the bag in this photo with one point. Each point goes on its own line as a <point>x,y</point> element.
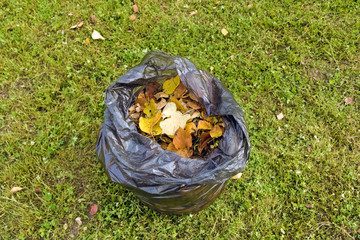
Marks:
<point>175,119</point>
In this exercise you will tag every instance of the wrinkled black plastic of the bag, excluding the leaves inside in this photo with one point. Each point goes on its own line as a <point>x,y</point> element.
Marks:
<point>160,178</point>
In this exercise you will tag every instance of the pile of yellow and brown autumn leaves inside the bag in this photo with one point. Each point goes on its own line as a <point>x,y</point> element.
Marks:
<point>174,118</point>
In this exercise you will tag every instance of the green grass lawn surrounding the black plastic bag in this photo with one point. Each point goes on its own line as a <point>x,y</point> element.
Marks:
<point>300,58</point>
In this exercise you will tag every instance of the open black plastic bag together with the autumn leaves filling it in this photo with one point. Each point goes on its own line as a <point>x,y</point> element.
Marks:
<point>172,134</point>
